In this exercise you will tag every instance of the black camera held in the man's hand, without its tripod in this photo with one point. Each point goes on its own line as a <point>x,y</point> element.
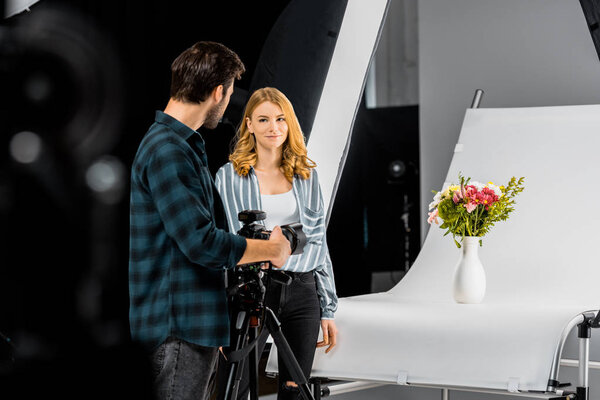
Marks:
<point>252,230</point>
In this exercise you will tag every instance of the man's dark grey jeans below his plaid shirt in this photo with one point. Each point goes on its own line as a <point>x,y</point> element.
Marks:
<point>183,370</point>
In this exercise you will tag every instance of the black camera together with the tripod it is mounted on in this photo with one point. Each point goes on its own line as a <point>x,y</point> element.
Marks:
<point>249,312</point>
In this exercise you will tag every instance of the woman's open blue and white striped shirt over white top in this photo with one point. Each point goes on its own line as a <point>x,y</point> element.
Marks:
<point>242,193</point>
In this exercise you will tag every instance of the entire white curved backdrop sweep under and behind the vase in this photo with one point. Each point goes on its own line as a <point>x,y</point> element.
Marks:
<point>542,266</point>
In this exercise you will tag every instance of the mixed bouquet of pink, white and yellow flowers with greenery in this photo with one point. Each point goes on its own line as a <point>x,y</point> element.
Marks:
<point>472,208</point>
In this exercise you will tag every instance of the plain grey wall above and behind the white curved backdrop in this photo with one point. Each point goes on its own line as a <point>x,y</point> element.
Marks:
<point>521,53</point>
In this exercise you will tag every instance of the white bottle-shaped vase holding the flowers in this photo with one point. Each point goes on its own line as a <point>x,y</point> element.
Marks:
<point>469,275</point>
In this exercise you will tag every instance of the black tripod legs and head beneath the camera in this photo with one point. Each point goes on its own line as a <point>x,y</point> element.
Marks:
<point>248,299</point>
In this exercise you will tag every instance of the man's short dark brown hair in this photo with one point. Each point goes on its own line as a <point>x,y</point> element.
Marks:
<point>201,68</point>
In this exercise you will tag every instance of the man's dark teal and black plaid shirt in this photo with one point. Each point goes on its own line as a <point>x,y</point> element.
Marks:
<point>177,253</point>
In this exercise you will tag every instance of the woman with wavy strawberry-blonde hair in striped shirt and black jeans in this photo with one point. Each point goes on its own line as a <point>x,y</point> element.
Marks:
<point>269,170</point>
